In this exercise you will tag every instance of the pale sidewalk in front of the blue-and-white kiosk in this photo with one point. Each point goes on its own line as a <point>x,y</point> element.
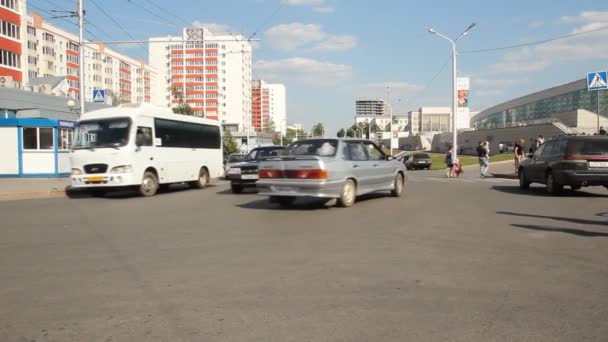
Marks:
<point>27,188</point>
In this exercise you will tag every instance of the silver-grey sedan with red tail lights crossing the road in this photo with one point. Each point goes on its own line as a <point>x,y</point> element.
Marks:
<point>330,168</point>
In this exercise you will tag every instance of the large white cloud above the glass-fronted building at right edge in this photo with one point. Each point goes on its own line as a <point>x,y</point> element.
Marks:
<point>580,48</point>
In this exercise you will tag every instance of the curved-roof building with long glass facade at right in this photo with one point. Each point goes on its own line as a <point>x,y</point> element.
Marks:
<point>540,107</point>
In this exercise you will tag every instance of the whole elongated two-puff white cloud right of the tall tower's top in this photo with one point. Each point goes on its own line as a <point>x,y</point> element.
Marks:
<point>289,37</point>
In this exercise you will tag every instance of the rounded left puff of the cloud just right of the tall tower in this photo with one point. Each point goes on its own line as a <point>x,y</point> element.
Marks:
<point>288,37</point>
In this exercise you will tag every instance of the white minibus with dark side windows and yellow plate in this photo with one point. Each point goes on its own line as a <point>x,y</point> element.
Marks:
<point>145,147</point>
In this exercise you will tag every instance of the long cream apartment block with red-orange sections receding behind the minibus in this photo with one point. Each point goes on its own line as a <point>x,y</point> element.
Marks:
<point>31,48</point>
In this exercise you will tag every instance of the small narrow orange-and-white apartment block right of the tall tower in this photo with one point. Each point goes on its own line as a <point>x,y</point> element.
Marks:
<point>269,106</point>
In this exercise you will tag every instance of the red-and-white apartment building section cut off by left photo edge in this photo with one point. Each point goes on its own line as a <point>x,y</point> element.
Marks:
<point>12,16</point>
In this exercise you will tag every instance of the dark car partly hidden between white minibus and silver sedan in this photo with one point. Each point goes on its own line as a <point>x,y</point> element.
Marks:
<point>245,174</point>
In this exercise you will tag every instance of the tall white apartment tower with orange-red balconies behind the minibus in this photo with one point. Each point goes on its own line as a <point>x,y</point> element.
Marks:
<point>210,72</point>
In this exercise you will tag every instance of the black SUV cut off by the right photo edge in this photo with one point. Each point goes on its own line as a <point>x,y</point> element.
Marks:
<point>575,161</point>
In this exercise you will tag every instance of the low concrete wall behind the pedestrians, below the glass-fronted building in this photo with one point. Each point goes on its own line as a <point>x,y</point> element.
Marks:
<point>468,140</point>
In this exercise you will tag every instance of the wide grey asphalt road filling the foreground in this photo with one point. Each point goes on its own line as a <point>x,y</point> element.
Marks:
<point>453,260</point>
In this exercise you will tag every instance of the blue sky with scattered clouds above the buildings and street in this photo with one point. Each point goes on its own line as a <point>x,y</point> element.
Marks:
<point>330,52</point>
